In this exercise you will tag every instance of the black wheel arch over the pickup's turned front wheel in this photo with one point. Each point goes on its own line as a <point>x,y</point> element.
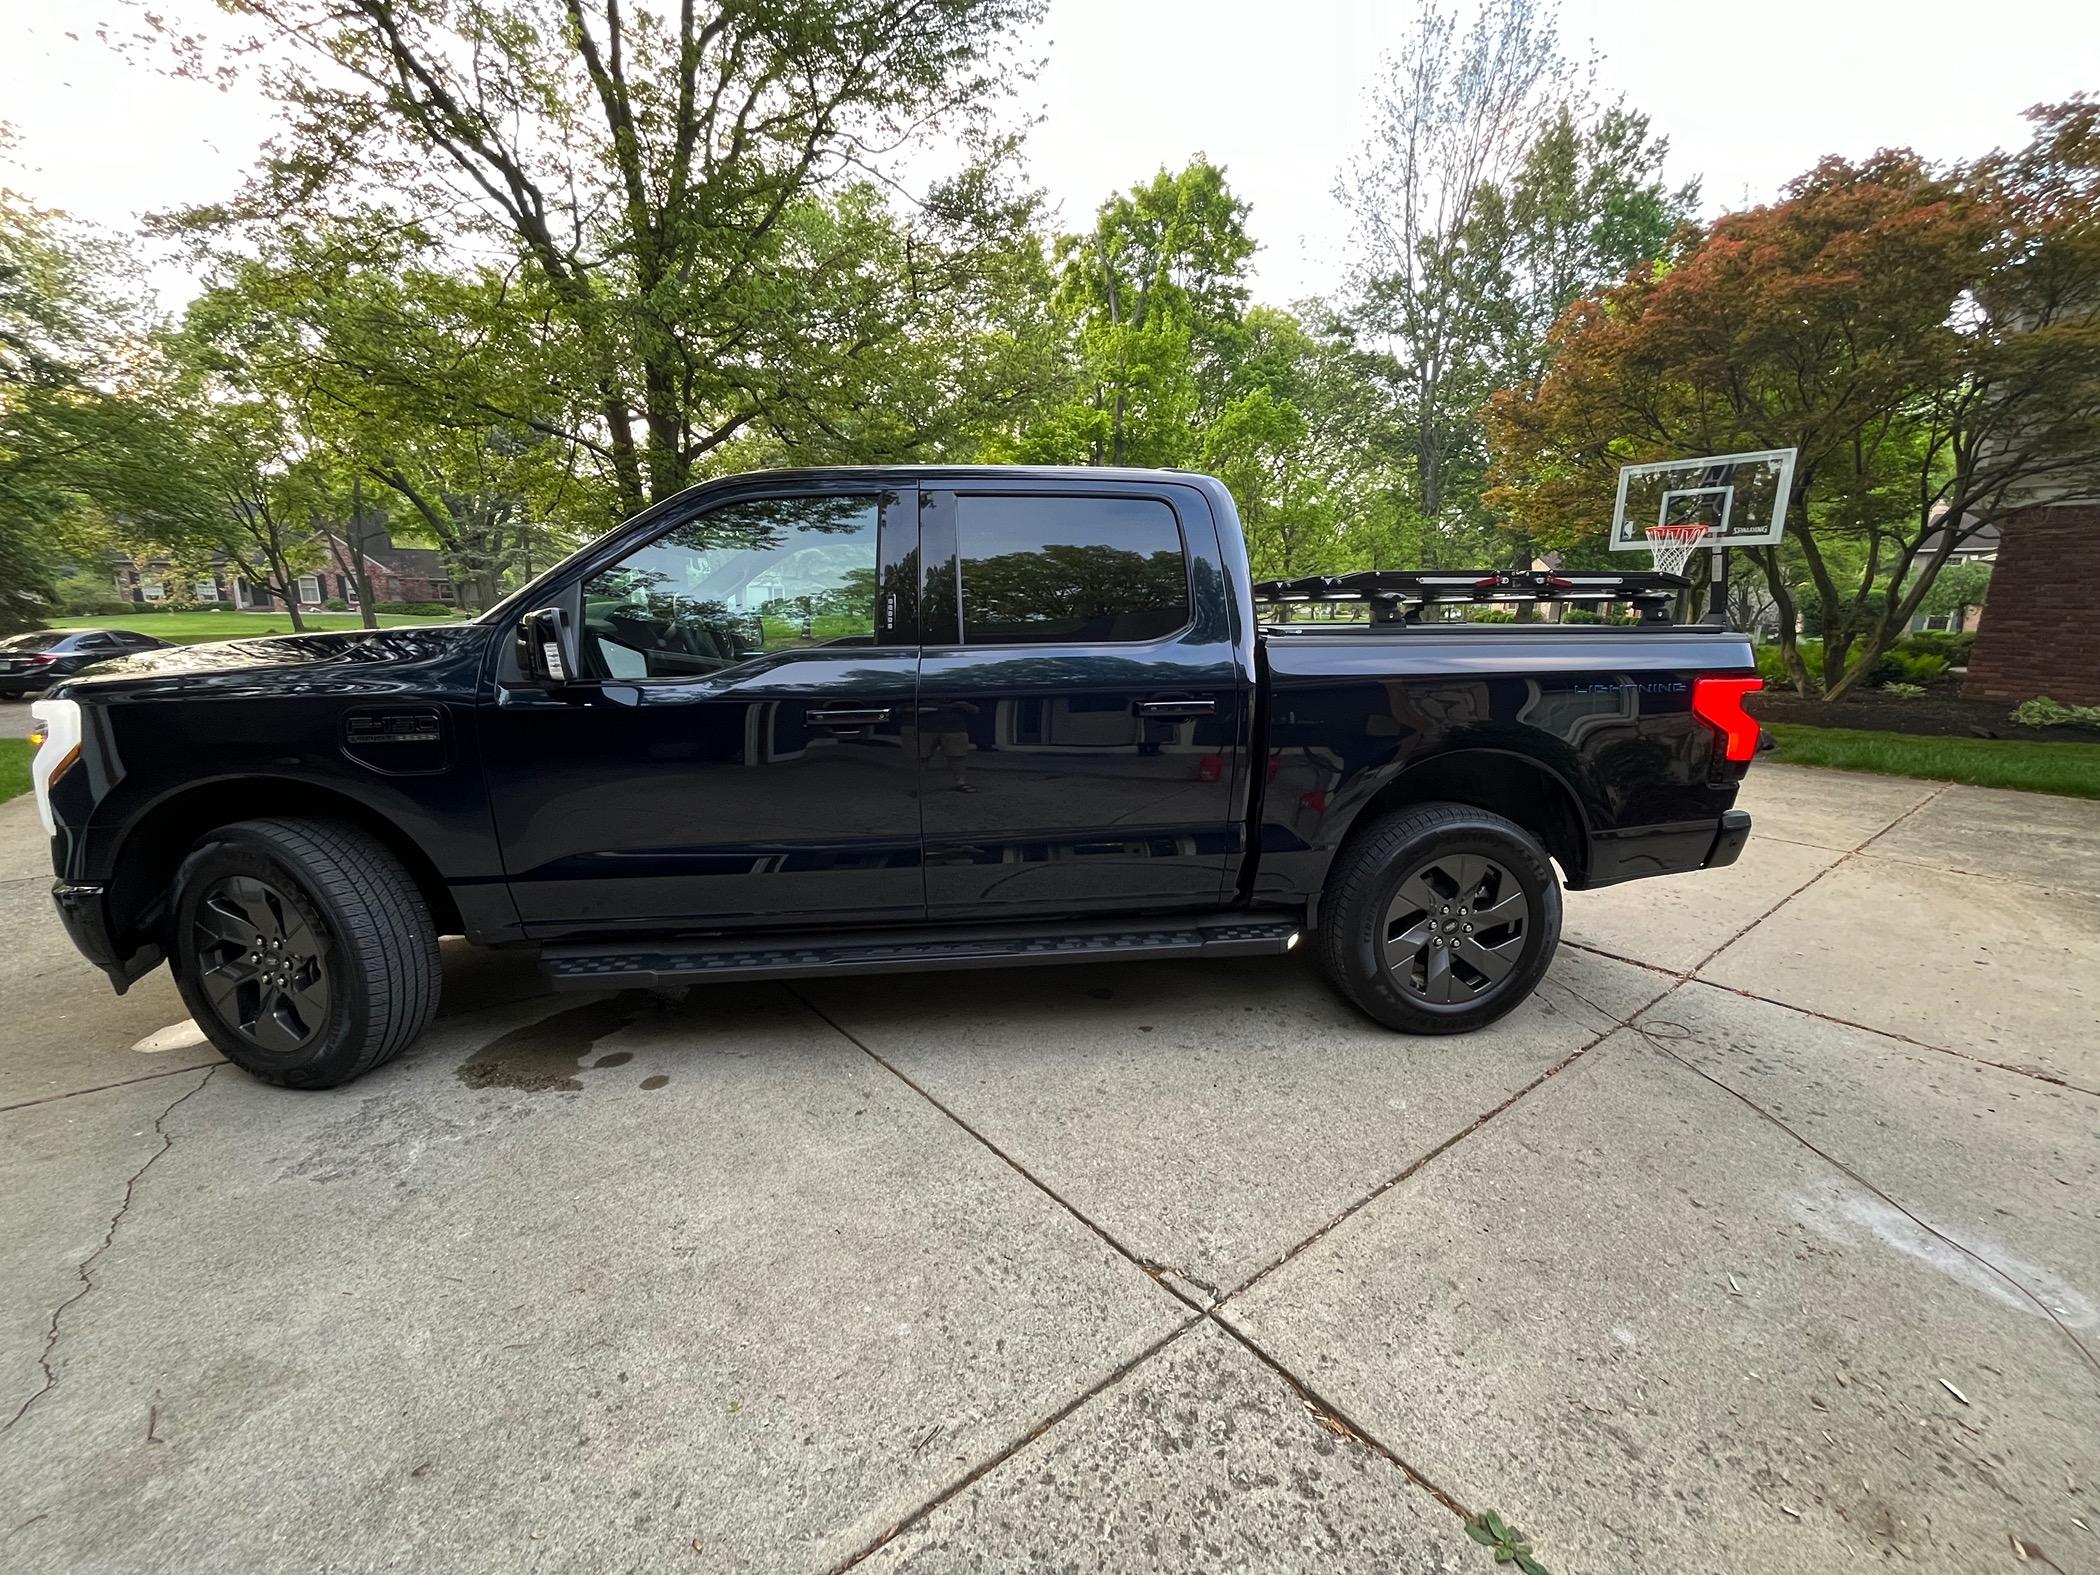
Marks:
<point>142,873</point>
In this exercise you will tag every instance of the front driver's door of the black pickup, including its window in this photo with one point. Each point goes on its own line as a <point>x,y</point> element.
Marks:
<point>734,749</point>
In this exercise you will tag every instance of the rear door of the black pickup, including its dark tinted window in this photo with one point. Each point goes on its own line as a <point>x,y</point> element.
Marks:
<point>1080,709</point>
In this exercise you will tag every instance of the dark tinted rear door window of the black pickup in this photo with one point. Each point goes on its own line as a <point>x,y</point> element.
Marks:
<point>1076,570</point>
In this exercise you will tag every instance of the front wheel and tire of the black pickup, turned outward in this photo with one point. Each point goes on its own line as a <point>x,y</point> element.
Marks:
<point>303,950</point>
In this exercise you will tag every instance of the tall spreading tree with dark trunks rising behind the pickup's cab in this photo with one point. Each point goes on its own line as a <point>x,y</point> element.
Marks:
<point>663,182</point>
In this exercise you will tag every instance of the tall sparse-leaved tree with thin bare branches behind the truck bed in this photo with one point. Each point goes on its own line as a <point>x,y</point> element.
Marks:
<point>1490,196</point>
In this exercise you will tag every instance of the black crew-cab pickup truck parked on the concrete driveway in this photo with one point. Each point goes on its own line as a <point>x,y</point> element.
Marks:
<point>847,721</point>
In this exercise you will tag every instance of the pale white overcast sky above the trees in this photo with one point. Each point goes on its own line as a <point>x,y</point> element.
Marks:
<point>1278,93</point>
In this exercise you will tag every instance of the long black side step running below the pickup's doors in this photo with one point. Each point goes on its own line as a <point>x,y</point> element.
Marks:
<point>883,952</point>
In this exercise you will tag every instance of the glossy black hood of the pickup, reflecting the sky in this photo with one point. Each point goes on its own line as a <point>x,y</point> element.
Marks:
<point>295,663</point>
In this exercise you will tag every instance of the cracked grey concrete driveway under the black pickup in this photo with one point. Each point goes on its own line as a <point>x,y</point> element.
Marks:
<point>1763,1238</point>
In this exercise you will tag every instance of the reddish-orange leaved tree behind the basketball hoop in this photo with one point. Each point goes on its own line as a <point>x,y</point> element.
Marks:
<point>1927,339</point>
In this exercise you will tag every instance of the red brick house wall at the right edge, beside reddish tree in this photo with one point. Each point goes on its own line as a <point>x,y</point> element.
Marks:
<point>2042,637</point>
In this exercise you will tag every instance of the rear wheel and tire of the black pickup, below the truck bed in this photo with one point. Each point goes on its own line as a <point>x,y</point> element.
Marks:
<point>1440,919</point>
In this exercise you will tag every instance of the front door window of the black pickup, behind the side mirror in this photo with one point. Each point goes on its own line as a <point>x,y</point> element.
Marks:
<point>736,585</point>
